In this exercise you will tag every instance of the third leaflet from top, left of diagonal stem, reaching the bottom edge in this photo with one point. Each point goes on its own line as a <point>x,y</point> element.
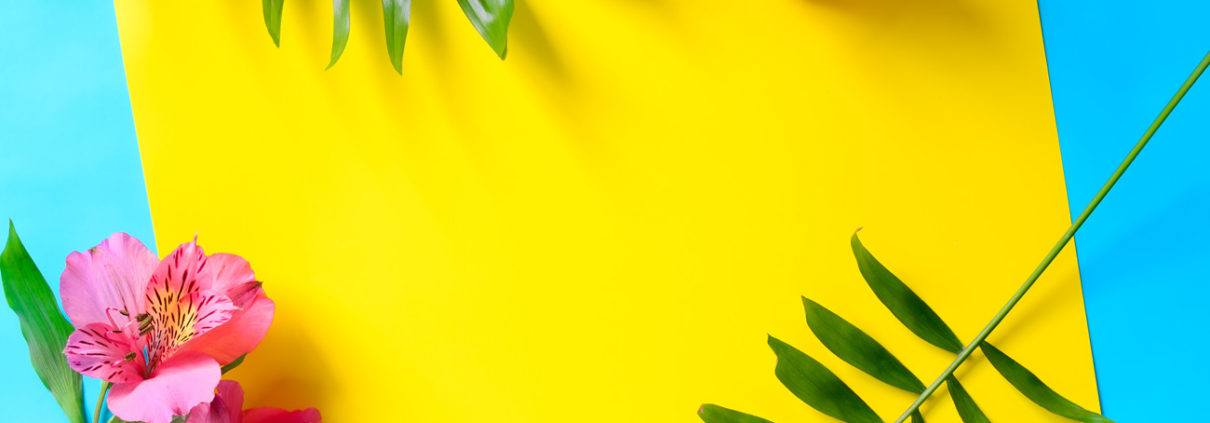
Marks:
<point>817,386</point>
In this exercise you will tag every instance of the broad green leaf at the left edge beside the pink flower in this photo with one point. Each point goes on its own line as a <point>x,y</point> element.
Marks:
<point>43,326</point>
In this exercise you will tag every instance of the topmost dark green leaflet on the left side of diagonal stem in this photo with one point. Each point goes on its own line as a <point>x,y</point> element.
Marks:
<point>906,305</point>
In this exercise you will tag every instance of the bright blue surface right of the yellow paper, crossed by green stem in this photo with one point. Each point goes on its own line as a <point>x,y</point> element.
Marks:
<point>1143,254</point>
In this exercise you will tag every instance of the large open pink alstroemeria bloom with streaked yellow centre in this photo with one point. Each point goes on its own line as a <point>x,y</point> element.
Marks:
<point>160,329</point>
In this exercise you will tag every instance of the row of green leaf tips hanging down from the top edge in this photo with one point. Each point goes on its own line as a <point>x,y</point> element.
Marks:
<point>489,18</point>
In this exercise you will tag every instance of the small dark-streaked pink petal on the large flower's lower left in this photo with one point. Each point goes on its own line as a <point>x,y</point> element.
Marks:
<point>100,351</point>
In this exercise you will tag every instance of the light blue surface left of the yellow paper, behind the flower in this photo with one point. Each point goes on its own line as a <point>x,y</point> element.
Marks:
<point>70,163</point>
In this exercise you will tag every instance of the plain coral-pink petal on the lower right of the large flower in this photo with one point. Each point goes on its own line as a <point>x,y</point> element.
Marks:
<point>239,335</point>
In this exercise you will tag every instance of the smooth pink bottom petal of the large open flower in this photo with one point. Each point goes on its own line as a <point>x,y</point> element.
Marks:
<point>175,389</point>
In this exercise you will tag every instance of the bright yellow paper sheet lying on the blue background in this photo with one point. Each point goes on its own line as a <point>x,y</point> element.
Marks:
<point>606,227</point>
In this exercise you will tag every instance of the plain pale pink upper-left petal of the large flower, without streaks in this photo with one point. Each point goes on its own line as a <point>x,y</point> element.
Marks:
<point>113,275</point>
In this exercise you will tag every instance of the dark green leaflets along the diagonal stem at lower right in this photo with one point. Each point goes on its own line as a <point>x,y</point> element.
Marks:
<point>820,389</point>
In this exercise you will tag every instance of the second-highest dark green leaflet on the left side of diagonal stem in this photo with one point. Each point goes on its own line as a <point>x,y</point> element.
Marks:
<point>854,346</point>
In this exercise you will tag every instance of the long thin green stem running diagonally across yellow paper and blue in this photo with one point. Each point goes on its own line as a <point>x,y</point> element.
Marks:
<point>1063,242</point>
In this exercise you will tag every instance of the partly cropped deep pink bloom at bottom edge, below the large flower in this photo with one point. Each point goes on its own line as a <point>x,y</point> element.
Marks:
<point>228,408</point>
